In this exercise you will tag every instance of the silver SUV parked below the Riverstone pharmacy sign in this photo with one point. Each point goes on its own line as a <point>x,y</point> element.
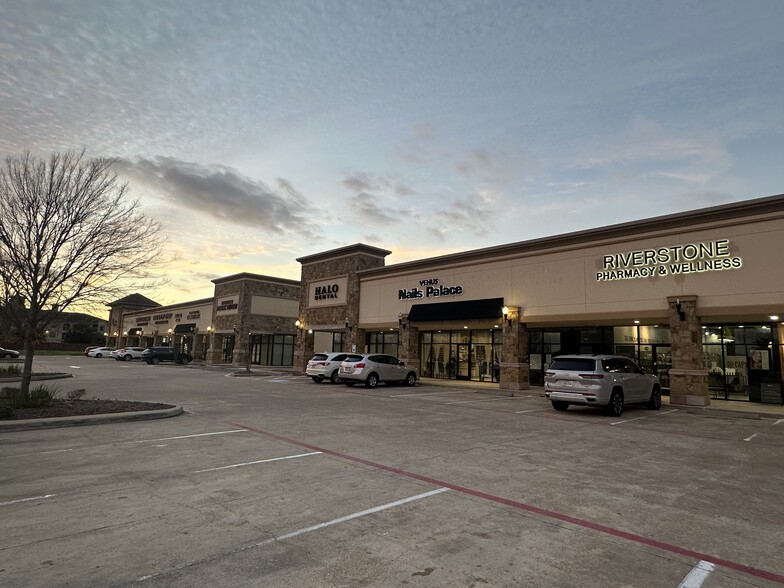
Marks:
<point>607,381</point>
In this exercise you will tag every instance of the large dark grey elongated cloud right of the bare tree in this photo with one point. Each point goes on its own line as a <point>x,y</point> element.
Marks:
<point>223,193</point>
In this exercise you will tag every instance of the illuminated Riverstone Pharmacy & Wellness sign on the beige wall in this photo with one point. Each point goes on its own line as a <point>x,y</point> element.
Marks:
<point>675,260</point>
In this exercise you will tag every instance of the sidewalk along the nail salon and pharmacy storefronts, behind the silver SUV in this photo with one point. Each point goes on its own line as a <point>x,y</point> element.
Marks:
<point>724,407</point>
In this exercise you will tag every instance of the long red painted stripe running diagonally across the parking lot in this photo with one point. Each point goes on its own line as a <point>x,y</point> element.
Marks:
<point>752,571</point>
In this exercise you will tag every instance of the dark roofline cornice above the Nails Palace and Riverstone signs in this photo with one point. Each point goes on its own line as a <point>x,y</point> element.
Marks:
<point>727,213</point>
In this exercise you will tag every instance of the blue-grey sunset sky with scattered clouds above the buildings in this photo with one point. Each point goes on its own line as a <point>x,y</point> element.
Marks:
<point>259,132</point>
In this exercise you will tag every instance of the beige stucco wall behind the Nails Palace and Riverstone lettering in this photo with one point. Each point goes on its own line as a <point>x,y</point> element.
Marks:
<point>560,286</point>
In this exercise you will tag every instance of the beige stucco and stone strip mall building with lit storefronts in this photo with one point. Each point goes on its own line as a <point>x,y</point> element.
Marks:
<point>695,297</point>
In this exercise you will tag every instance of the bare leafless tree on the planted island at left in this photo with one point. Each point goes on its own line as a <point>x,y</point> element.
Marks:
<point>69,233</point>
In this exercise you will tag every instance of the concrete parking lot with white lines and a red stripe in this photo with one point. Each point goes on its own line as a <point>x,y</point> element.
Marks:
<point>273,480</point>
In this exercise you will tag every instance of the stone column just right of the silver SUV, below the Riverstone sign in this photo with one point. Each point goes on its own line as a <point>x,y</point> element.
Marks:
<point>688,377</point>
